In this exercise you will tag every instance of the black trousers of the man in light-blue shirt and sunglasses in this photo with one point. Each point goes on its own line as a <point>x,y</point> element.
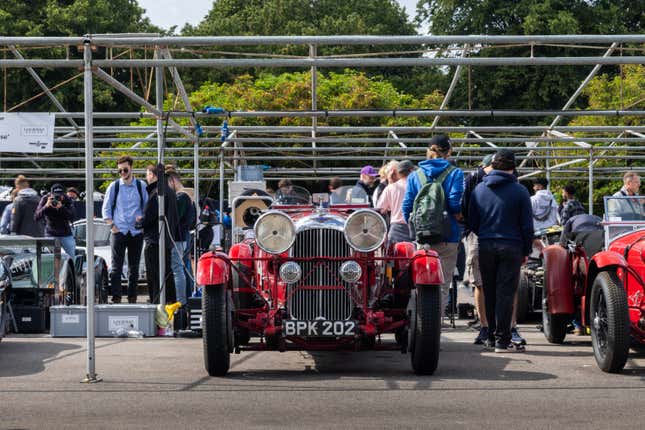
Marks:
<point>120,243</point>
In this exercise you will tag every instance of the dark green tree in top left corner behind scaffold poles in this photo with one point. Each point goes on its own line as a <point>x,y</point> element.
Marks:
<point>65,18</point>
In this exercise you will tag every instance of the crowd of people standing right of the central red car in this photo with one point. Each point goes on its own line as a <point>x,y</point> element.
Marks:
<point>491,212</point>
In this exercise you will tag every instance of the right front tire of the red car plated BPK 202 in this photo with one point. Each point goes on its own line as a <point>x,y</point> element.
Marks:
<point>427,330</point>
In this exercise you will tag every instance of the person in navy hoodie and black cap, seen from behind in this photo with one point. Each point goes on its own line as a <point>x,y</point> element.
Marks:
<point>500,214</point>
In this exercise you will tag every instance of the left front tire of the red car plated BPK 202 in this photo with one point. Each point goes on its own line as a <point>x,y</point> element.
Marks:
<point>215,330</point>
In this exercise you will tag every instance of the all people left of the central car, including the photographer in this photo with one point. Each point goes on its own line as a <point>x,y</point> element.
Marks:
<point>130,208</point>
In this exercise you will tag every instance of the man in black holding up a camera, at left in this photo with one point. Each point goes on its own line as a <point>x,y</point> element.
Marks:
<point>55,208</point>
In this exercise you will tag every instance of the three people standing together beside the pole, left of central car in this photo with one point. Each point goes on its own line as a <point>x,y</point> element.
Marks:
<point>131,209</point>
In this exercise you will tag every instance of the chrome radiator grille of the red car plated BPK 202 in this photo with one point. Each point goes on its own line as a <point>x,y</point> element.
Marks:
<point>328,304</point>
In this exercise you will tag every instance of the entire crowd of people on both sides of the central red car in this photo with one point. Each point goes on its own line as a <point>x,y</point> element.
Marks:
<point>488,210</point>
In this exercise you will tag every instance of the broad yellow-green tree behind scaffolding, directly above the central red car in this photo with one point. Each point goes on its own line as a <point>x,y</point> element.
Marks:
<point>292,91</point>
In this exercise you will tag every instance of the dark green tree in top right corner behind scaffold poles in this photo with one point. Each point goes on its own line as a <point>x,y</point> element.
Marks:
<point>527,87</point>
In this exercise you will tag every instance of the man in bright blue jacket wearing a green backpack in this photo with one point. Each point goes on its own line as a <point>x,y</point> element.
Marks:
<point>453,186</point>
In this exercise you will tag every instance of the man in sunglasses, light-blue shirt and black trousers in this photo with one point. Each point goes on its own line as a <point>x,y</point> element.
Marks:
<point>122,208</point>
